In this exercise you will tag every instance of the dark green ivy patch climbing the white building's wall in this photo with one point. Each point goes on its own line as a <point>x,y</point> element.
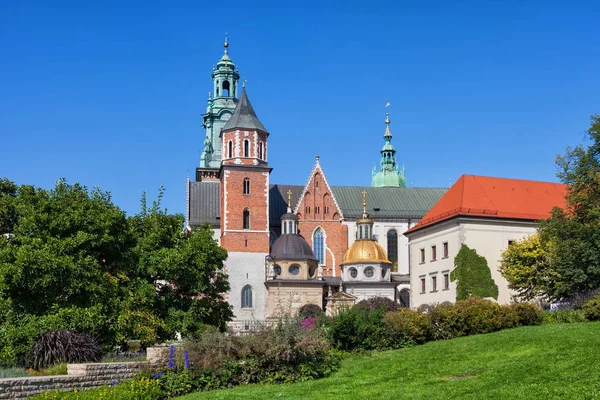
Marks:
<point>473,275</point>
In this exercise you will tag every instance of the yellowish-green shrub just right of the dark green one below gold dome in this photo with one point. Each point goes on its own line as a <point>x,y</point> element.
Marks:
<point>406,327</point>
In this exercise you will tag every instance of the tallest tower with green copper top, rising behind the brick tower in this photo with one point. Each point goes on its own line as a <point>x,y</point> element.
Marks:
<point>221,103</point>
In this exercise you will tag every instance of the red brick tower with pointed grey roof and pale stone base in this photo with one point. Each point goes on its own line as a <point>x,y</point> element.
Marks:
<point>244,179</point>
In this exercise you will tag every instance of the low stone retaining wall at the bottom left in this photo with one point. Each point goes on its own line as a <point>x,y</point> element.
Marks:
<point>80,376</point>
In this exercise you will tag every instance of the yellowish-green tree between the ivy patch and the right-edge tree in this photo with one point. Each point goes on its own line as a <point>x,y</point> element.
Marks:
<point>526,266</point>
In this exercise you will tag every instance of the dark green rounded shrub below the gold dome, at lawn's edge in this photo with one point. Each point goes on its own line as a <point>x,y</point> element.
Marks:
<point>358,328</point>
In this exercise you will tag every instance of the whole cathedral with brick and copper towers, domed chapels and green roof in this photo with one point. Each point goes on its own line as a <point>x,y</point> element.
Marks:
<point>290,245</point>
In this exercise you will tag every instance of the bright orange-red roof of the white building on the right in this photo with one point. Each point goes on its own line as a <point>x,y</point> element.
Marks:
<point>485,196</point>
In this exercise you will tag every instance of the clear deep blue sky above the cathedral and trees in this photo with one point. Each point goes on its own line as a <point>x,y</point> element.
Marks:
<point>111,94</point>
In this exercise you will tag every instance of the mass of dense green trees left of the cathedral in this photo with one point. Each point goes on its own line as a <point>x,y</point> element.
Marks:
<point>77,262</point>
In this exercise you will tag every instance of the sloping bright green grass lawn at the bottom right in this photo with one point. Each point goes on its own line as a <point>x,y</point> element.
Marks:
<point>546,362</point>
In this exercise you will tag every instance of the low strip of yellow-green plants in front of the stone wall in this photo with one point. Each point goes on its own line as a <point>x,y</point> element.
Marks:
<point>137,389</point>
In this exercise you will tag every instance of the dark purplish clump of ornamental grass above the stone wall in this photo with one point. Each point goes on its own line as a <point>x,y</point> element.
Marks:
<point>64,346</point>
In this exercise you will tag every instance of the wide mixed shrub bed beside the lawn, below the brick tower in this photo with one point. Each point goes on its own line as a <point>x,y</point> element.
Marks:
<point>287,352</point>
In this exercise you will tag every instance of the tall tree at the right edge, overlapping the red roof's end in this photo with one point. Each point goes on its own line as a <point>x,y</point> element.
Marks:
<point>574,232</point>
